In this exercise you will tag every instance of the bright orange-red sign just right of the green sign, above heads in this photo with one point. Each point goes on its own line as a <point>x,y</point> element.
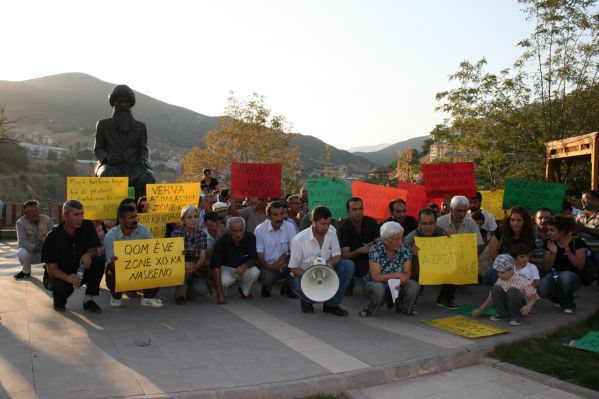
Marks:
<point>376,198</point>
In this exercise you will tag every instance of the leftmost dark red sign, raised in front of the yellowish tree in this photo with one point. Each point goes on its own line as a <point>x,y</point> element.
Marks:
<point>255,180</point>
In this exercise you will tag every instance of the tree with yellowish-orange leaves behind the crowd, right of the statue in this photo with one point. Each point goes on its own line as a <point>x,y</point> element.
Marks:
<point>247,133</point>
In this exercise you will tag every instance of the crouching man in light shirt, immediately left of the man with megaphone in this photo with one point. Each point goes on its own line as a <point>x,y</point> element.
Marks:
<point>273,240</point>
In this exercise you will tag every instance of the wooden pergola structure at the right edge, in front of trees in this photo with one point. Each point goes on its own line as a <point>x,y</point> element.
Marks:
<point>571,149</point>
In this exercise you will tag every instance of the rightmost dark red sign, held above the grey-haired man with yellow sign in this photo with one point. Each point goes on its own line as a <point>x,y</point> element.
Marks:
<point>442,179</point>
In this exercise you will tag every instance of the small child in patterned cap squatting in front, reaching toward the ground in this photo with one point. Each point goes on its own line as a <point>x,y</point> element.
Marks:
<point>512,295</point>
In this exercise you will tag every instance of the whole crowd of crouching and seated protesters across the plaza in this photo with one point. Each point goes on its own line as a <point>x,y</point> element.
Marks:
<point>263,241</point>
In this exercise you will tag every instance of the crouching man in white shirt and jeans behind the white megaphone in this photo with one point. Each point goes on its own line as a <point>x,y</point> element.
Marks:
<point>320,240</point>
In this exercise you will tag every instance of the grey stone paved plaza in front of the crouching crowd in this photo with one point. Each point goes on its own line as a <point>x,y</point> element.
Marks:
<point>260,348</point>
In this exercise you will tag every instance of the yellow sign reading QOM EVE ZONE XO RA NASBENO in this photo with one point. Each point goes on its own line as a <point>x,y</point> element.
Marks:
<point>141,264</point>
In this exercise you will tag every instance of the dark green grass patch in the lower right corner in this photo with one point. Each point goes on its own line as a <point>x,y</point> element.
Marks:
<point>550,355</point>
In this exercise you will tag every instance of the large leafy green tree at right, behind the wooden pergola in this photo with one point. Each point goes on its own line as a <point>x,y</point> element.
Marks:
<point>551,92</point>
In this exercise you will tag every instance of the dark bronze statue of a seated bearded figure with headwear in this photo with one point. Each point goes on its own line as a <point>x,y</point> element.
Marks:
<point>121,145</point>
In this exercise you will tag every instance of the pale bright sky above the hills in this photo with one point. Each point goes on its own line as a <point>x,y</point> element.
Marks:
<point>348,72</point>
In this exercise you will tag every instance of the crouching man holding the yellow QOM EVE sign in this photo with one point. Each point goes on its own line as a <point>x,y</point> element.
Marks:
<point>128,229</point>
